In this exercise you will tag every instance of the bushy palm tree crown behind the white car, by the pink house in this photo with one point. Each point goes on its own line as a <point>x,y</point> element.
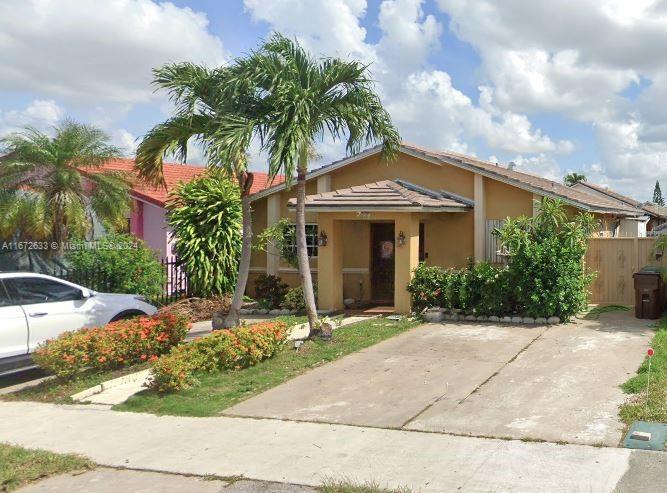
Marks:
<point>51,186</point>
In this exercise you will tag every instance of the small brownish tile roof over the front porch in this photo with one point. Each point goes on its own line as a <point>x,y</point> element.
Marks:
<point>386,194</point>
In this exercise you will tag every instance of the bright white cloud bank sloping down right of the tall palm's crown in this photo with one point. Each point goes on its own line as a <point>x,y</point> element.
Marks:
<point>424,104</point>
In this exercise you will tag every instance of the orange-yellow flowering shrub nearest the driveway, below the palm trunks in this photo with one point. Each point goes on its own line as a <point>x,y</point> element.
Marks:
<point>222,350</point>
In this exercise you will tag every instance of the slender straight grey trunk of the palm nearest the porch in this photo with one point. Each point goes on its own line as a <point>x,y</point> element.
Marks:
<point>302,249</point>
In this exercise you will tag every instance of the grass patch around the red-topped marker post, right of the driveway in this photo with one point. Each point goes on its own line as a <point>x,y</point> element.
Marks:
<point>656,410</point>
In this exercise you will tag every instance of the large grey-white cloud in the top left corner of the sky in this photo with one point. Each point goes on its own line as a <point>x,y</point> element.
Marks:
<point>100,52</point>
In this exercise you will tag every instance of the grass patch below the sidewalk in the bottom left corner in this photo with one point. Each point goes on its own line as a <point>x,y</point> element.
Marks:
<point>20,466</point>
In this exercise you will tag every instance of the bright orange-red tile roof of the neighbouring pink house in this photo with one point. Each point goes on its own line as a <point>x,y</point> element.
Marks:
<point>174,174</point>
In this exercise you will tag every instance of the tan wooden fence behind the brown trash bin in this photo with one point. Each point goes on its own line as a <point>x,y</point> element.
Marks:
<point>615,260</point>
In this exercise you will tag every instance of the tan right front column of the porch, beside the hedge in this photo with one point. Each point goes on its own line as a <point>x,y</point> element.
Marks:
<point>406,258</point>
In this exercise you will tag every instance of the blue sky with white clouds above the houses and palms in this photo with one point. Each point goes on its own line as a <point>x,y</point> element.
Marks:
<point>498,79</point>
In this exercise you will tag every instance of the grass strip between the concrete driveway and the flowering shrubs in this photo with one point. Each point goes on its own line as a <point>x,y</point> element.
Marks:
<point>218,391</point>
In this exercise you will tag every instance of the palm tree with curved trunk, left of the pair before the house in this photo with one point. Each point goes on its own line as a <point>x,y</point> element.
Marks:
<point>206,106</point>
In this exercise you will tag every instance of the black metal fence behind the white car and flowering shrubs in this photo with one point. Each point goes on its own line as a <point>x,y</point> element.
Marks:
<point>174,288</point>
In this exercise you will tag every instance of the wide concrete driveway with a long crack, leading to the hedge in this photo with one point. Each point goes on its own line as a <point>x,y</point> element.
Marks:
<point>557,383</point>
